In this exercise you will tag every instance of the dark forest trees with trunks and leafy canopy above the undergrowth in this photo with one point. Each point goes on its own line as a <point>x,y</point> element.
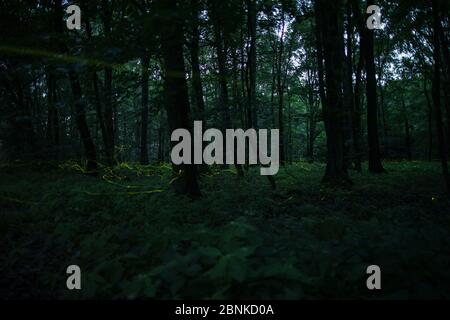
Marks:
<point>337,91</point>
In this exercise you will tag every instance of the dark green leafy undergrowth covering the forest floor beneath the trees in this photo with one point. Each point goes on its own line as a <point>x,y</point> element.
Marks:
<point>133,238</point>
